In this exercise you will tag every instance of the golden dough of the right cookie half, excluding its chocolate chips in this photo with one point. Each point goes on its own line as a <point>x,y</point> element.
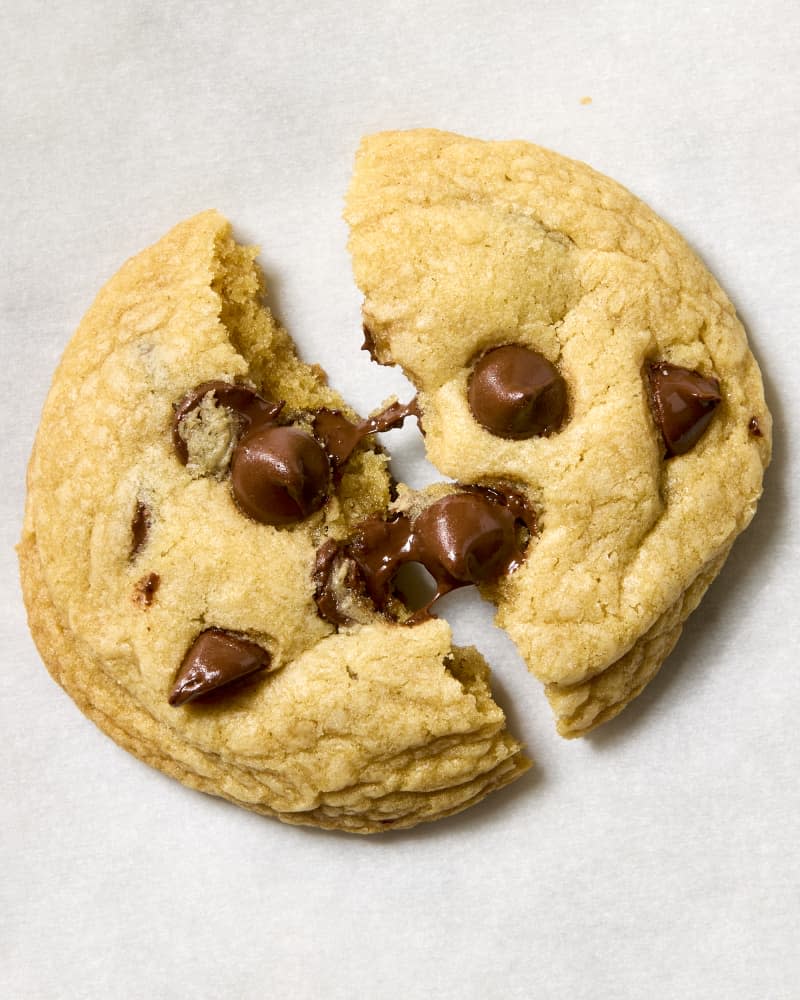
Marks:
<point>461,247</point>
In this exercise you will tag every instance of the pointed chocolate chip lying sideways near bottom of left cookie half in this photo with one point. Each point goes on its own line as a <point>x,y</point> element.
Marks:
<point>214,659</point>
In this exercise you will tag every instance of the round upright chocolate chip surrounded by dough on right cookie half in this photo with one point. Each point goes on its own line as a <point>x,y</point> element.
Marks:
<point>517,393</point>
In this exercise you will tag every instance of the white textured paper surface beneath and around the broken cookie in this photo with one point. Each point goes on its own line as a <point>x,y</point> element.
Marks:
<point>656,859</point>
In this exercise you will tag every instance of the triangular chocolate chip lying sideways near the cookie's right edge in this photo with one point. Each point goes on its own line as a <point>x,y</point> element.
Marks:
<point>683,402</point>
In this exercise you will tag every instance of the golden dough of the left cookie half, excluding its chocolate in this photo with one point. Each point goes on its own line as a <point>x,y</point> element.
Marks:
<point>129,554</point>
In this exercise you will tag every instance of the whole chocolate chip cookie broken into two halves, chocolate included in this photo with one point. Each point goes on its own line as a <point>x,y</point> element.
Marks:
<point>213,549</point>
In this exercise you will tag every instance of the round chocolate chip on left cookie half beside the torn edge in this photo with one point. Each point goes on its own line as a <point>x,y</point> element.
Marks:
<point>279,475</point>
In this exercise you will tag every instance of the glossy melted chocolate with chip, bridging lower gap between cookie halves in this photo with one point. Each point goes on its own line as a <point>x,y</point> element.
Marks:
<point>463,538</point>
